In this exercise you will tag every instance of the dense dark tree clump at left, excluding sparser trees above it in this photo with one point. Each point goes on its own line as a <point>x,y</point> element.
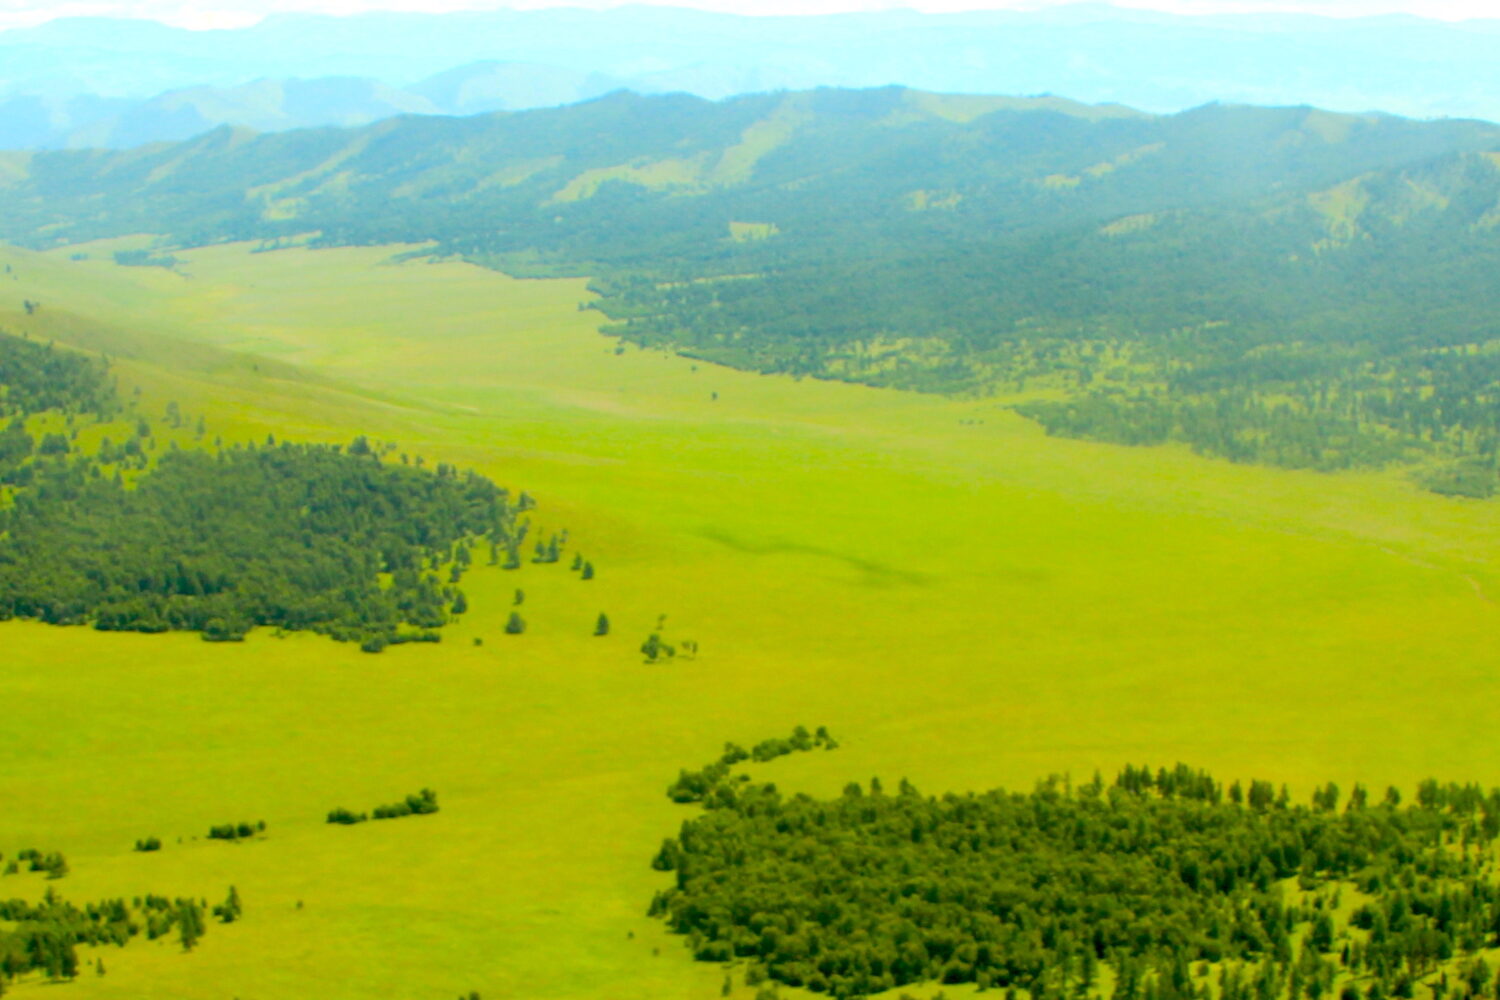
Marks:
<point>302,537</point>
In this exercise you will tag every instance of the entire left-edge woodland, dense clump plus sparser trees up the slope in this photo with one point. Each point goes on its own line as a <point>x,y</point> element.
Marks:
<point>128,536</point>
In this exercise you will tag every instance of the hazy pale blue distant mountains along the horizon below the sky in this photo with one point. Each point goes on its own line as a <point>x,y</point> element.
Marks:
<point>94,82</point>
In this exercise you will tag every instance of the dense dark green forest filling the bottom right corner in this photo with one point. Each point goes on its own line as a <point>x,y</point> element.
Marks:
<point>1148,878</point>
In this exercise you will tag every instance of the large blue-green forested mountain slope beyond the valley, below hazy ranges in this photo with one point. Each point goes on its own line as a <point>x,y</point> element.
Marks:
<point>1264,284</point>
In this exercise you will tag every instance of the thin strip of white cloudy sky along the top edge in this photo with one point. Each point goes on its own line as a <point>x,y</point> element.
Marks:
<point>202,14</point>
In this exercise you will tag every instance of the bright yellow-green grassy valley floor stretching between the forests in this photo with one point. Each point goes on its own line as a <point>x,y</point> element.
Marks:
<point>961,599</point>
